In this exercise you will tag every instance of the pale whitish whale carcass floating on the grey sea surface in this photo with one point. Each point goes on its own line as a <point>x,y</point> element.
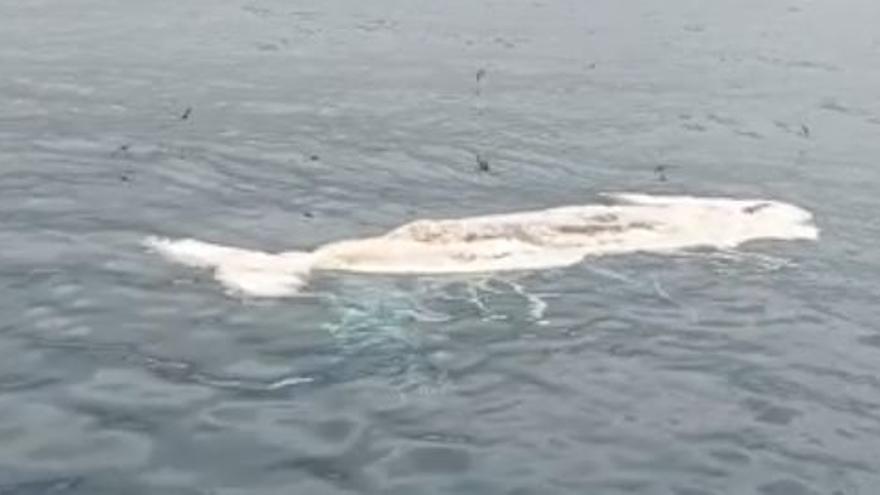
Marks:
<point>515,241</point>
